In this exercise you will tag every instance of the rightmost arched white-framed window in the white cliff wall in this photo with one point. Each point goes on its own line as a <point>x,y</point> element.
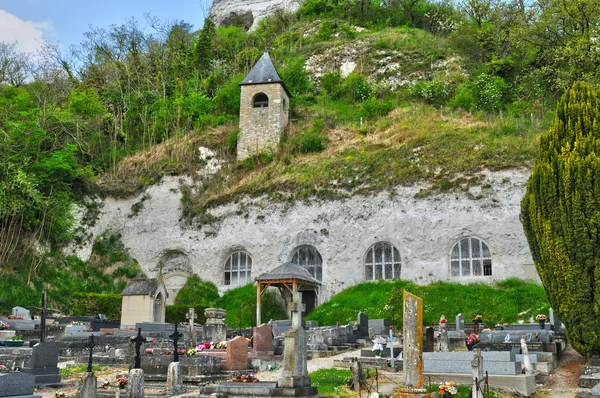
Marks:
<point>470,257</point>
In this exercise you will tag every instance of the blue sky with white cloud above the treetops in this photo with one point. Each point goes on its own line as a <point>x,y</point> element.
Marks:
<point>30,22</point>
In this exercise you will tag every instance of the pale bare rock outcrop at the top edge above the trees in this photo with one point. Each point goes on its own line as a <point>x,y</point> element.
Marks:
<point>222,9</point>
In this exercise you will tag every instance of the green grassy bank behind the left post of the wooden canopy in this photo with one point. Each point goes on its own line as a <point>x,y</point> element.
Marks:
<point>240,304</point>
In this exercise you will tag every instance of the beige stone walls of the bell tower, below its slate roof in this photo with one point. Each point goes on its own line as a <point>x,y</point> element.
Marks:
<point>261,128</point>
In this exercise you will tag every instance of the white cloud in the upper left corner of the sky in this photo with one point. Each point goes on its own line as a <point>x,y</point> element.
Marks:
<point>27,34</point>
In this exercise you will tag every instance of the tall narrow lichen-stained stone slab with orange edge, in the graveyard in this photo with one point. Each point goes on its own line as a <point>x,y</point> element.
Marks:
<point>412,332</point>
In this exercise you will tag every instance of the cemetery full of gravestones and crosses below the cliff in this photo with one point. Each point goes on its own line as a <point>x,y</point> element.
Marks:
<point>157,359</point>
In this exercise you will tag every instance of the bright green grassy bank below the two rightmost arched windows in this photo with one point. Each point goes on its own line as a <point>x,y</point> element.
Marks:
<point>506,301</point>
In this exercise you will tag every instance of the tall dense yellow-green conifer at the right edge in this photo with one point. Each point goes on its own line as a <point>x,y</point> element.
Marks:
<point>561,215</point>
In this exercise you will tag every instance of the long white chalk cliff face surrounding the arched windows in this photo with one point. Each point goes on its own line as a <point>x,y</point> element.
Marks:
<point>423,229</point>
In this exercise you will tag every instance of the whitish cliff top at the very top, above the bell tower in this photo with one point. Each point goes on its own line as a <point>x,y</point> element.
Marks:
<point>247,13</point>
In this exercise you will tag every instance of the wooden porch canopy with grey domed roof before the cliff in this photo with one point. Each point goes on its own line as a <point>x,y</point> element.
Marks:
<point>292,277</point>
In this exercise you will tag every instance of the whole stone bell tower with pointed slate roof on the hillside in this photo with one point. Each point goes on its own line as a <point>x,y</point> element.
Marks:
<point>264,109</point>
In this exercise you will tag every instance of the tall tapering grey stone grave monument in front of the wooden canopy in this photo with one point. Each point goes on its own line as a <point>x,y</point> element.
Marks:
<point>295,372</point>
